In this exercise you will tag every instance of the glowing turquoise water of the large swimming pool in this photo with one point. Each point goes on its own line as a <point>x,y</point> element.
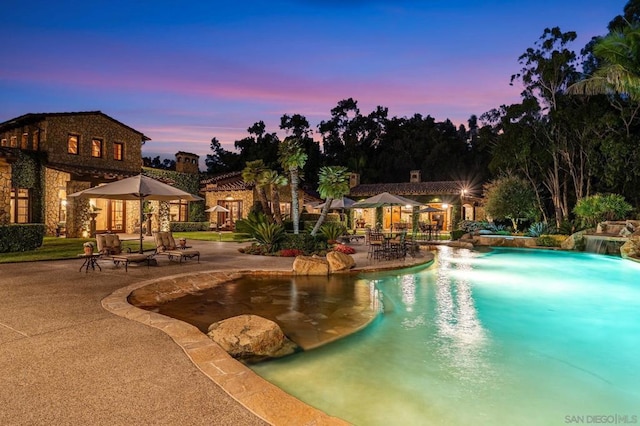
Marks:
<point>518,337</point>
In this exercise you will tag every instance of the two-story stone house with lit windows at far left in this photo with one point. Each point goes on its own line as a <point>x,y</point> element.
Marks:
<point>45,156</point>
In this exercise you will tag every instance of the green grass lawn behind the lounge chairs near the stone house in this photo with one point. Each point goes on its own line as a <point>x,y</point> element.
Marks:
<point>68,248</point>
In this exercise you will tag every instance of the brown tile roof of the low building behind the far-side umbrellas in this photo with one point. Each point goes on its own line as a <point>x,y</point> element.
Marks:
<point>407,188</point>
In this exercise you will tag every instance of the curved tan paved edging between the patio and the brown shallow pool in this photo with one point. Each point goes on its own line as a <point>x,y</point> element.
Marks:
<point>257,395</point>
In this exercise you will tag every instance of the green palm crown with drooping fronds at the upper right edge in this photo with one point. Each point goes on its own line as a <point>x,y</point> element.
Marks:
<point>619,53</point>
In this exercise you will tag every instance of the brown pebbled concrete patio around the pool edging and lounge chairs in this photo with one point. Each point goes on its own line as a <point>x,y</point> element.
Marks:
<point>64,359</point>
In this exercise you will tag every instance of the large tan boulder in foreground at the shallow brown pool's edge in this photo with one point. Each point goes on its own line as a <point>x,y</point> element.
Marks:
<point>251,337</point>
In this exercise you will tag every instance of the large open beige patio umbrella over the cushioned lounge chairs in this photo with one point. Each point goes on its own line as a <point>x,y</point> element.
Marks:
<point>140,187</point>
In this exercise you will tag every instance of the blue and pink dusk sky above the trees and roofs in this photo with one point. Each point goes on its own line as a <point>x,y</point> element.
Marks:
<point>185,72</point>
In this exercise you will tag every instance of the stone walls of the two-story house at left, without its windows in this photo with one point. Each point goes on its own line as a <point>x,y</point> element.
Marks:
<point>65,172</point>
